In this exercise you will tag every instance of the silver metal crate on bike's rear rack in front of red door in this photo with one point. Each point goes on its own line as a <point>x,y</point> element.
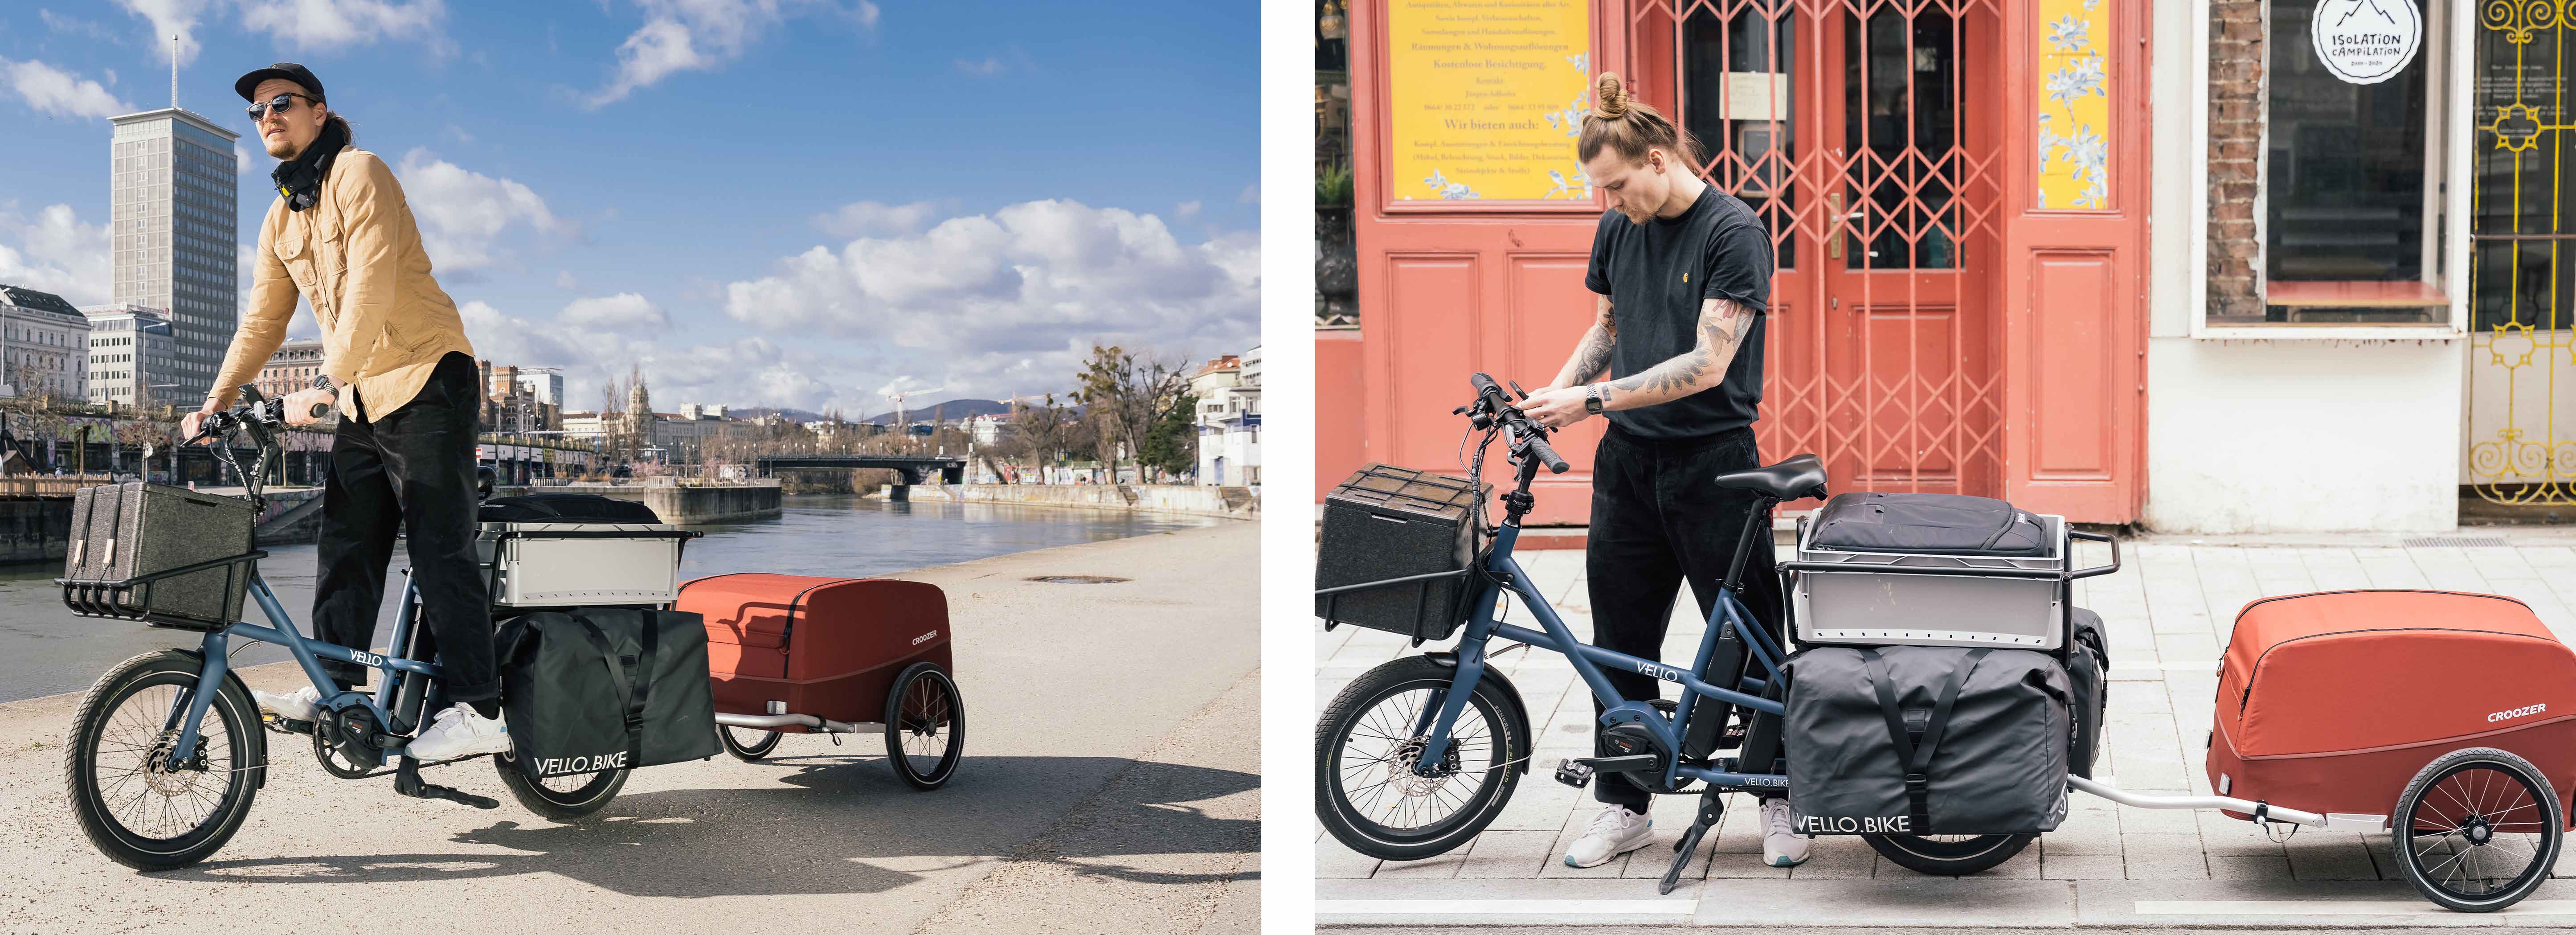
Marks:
<point>1871,599</point>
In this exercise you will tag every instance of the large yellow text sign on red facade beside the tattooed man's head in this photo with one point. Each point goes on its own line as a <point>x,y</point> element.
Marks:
<point>1488,99</point>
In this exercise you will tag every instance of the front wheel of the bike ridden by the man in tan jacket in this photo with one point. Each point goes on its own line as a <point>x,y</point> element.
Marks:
<point>143,807</point>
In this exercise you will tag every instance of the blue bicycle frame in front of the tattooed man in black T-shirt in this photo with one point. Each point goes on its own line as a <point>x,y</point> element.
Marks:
<point>1506,576</point>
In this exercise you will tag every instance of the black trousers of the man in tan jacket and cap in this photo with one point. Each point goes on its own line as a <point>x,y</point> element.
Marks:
<point>408,470</point>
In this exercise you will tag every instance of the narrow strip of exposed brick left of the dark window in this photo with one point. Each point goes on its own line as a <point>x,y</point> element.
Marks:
<point>2237,120</point>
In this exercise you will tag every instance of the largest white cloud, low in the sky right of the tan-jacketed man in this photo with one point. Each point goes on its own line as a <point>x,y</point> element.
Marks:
<point>1019,295</point>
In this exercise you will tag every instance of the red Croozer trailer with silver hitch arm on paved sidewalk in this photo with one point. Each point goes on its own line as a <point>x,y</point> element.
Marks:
<point>2443,720</point>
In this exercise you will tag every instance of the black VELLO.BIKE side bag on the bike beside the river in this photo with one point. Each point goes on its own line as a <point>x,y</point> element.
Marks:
<point>604,689</point>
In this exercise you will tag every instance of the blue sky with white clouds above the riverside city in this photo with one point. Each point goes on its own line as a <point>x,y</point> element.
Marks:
<point>761,202</point>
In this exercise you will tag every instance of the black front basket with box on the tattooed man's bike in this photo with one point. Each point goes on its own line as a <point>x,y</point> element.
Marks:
<point>1387,524</point>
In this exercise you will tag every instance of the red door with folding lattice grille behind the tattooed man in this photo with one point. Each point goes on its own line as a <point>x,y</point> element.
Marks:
<point>1853,133</point>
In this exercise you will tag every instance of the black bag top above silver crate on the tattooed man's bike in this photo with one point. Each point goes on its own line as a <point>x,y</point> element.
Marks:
<point>1933,524</point>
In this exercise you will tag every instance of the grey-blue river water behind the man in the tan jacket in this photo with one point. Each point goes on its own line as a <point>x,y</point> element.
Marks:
<point>48,650</point>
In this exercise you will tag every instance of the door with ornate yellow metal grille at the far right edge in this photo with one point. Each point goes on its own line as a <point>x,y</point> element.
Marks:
<point>2523,267</point>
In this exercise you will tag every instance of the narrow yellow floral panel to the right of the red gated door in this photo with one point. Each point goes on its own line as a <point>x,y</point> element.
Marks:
<point>2075,122</point>
